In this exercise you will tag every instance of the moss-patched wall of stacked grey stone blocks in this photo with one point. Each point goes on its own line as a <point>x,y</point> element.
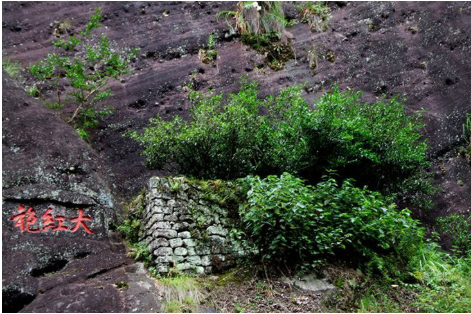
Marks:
<point>184,229</point>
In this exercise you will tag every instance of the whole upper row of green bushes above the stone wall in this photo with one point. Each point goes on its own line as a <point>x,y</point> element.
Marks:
<point>230,138</point>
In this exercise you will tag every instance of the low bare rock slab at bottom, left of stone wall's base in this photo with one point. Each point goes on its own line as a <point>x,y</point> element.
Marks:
<point>121,289</point>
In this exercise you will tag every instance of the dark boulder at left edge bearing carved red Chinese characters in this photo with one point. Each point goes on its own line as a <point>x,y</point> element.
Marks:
<point>57,216</point>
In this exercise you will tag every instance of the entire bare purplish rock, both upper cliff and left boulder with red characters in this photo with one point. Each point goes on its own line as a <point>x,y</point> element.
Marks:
<point>419,51</point>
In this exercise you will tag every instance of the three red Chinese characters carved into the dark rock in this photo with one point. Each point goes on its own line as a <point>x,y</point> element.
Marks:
<point>25,219</point>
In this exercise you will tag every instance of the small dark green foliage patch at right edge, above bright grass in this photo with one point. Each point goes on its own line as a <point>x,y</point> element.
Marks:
<point>456,228</point>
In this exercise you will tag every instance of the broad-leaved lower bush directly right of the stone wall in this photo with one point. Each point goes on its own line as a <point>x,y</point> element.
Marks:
<point>287,220</point>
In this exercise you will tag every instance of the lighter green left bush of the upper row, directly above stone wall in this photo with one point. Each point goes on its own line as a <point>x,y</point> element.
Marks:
<point>230,139</point>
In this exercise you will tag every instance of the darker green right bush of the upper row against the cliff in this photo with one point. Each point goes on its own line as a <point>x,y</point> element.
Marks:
<point>378,142</point>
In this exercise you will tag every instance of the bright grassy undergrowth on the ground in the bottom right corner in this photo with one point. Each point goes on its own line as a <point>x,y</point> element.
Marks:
<point>437,282</point>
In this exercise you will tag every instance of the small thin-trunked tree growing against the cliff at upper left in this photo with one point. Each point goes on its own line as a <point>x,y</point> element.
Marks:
<point>86,63</point>
